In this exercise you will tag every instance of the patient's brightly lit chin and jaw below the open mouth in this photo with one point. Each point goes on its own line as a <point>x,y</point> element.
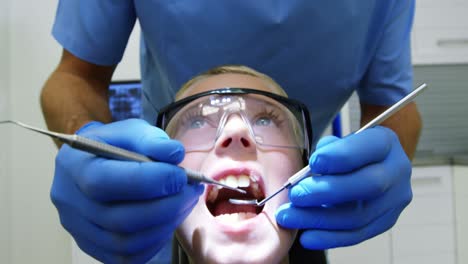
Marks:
<point>267,243</point>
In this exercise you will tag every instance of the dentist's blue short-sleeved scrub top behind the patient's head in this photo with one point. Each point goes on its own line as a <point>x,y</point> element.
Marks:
<point>318,51</point>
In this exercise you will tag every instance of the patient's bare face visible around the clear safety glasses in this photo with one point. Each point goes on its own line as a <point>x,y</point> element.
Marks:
<point>217,231</point>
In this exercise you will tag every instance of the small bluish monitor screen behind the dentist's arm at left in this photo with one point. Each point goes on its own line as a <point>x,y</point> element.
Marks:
<point>125,99</point>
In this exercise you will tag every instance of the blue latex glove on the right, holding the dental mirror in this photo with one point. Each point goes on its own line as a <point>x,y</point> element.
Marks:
<point>365,185</point>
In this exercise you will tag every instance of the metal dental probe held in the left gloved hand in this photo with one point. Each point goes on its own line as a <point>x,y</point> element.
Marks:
<point>113,152</point>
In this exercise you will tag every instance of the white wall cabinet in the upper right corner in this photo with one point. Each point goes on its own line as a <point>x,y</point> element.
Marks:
<point>440,32</point>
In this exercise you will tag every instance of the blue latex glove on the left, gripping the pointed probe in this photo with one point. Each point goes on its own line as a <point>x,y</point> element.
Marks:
<point>123,211</point>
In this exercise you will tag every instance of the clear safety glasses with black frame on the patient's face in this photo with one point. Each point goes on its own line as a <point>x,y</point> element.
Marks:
<point>272,121</point>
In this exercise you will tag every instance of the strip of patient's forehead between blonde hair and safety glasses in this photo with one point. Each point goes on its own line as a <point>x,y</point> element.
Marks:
<point>230,80</point>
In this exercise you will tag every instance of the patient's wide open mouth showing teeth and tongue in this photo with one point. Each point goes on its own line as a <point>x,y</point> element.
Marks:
<point>218,204</point>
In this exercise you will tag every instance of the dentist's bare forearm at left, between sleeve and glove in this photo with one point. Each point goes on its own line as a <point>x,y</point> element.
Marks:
<point>74,94</point>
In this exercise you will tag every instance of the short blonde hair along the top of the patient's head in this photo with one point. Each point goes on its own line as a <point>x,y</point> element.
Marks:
<point>237,69</point>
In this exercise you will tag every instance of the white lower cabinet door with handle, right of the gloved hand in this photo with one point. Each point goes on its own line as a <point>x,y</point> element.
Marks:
<point>425,231</point>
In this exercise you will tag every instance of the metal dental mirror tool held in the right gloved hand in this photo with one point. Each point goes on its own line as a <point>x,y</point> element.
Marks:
<point>305,172</point>
